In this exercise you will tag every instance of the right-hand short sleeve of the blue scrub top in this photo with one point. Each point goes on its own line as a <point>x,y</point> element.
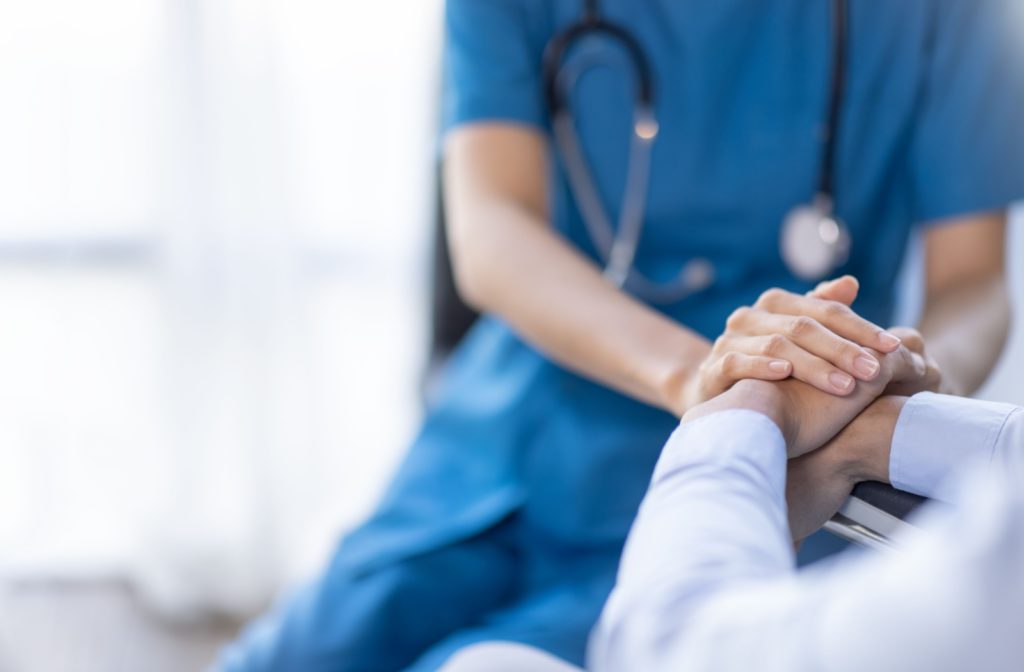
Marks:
<point>968,149</point>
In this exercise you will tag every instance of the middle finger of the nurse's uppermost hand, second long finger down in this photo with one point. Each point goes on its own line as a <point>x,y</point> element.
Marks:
<point>813,337</point>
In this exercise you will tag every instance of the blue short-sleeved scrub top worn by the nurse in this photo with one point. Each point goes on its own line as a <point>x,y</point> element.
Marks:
<point>931,129</point>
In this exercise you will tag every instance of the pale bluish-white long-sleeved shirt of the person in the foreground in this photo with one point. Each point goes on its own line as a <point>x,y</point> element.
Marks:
<point>708,581</point>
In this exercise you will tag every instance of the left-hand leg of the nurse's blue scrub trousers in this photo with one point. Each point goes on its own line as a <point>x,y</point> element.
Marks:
<point>335,624</point>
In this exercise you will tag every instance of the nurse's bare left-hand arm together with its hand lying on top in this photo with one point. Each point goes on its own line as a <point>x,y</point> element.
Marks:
<point>507,259</point>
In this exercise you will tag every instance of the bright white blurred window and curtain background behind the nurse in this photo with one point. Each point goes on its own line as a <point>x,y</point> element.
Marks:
<point>217,227</point>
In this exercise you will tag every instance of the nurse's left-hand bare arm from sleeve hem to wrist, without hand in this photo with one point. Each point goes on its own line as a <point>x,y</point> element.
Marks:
<point>510,263</point>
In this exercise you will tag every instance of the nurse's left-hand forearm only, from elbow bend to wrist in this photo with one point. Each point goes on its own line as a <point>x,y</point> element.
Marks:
<point>560,302</point>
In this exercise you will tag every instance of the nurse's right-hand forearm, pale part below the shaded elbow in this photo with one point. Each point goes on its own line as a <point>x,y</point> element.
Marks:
<point>966,329</point>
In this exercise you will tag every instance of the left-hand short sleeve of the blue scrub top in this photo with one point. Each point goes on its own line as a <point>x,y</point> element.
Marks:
<point>494,51</point>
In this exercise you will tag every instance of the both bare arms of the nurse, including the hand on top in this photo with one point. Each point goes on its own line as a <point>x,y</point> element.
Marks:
<point>510,263</point>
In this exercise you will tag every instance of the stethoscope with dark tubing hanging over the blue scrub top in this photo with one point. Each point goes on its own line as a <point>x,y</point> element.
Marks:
<point>814,241</point>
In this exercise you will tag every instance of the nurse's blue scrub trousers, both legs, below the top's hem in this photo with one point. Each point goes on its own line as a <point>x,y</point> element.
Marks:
<point>413,615</point>
